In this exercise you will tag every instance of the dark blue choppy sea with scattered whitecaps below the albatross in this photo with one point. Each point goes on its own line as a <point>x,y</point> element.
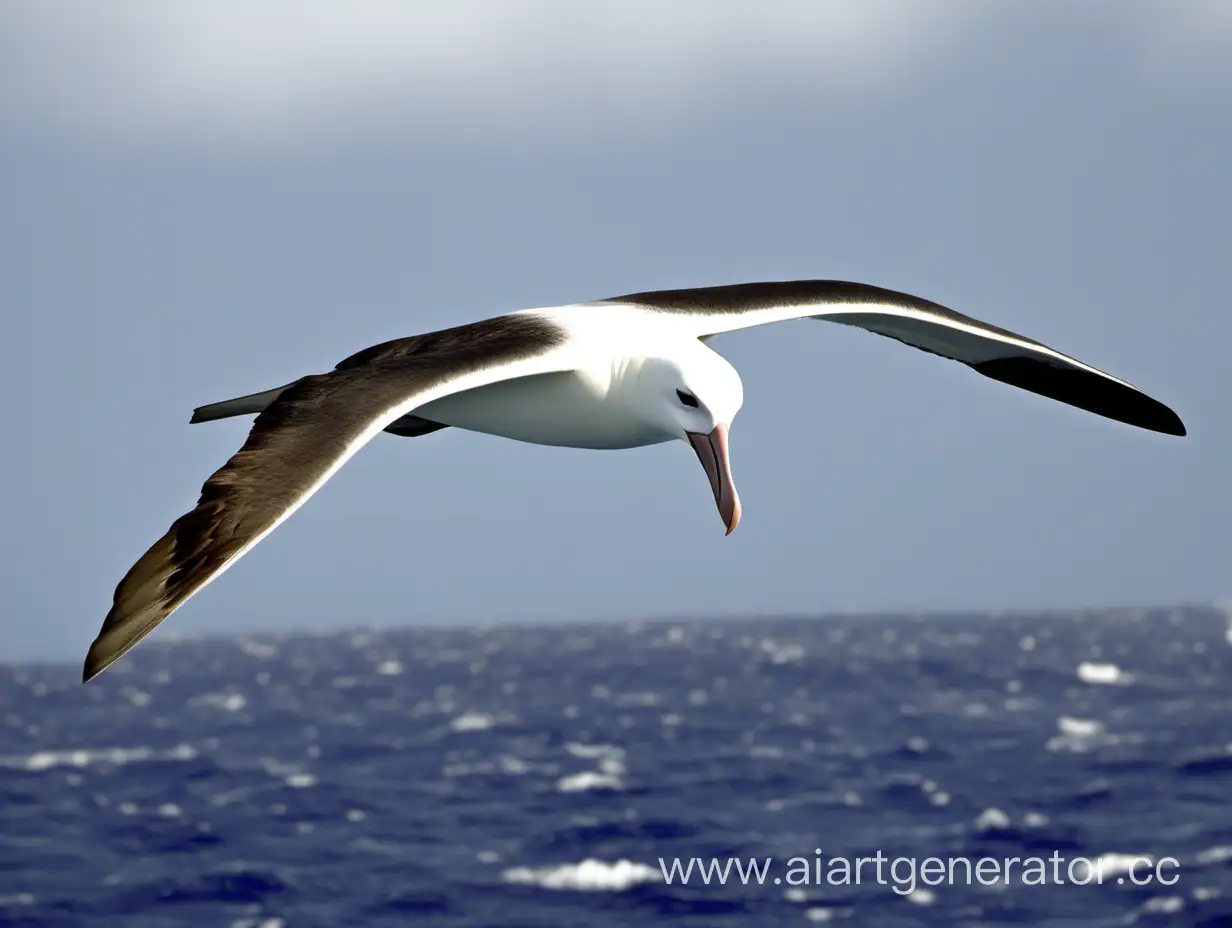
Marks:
<point>535,777</point>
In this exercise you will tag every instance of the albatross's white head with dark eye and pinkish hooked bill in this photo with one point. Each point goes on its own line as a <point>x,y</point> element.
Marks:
<point>694,396</point>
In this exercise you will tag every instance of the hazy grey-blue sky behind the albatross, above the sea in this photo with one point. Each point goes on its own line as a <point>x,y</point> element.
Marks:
<point>208,200</point>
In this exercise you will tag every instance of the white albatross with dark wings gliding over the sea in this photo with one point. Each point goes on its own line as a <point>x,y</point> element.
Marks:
<point>613,374</point>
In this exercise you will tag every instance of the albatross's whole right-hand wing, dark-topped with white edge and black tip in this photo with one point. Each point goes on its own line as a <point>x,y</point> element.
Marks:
<point>995,353</point>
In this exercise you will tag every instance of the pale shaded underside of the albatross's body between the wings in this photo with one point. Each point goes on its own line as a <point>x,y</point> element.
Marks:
<point>546,410</point>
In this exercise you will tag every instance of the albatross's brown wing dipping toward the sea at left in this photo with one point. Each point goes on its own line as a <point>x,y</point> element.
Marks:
<point>298,444</point>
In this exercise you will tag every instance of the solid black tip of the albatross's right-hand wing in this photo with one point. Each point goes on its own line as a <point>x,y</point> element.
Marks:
<point>1093,393</point>
